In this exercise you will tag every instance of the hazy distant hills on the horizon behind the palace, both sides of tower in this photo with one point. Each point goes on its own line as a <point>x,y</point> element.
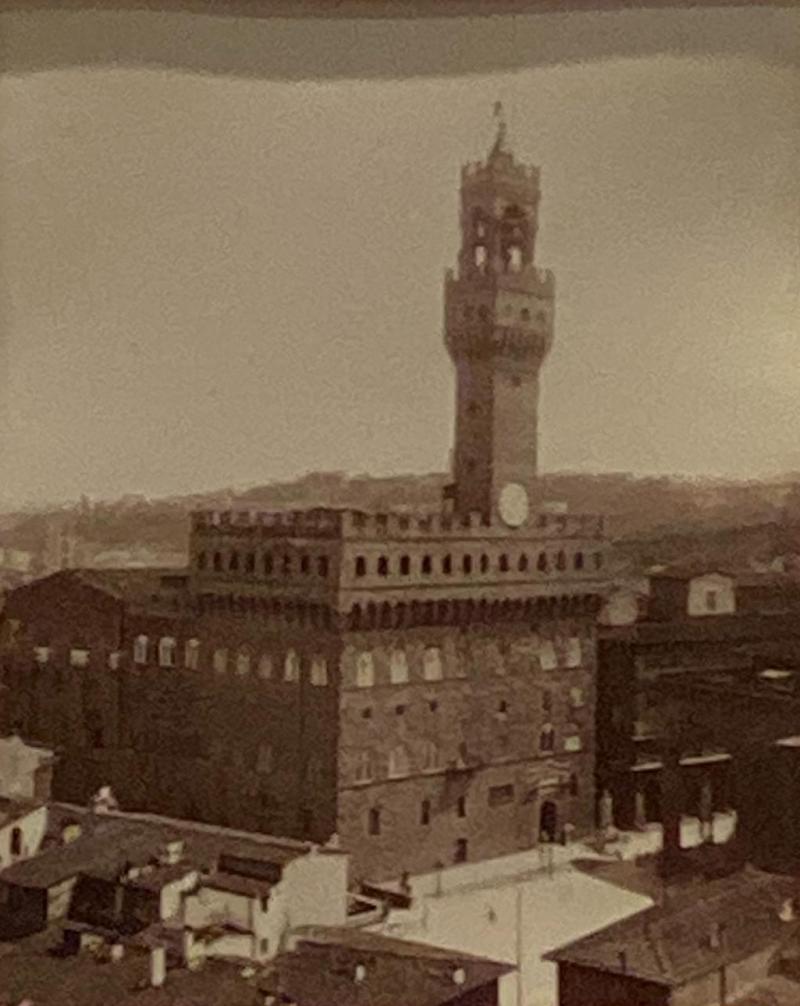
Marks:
<point>653,520</point>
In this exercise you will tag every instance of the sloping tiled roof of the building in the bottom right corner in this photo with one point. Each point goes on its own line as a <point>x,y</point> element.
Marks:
<point>673,944</point>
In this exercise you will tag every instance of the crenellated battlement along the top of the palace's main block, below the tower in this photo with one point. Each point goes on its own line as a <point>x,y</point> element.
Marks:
<point>360,526</point>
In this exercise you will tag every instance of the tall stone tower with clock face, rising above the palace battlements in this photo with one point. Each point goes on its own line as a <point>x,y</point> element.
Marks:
<point>499,330</point>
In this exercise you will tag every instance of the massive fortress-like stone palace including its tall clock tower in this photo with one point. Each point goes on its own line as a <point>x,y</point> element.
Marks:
<point>422,686</point>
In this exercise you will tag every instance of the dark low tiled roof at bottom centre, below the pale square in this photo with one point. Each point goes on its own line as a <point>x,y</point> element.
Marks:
<point>353,967</point>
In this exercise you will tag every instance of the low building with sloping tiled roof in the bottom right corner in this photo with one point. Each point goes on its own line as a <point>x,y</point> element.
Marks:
<point>733,941</point>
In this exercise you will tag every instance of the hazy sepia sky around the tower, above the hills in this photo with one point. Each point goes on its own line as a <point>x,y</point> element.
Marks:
<point>213,279</point>
